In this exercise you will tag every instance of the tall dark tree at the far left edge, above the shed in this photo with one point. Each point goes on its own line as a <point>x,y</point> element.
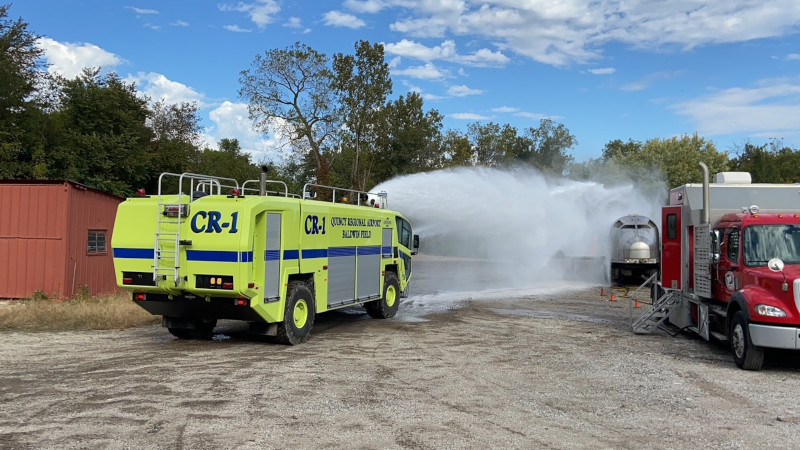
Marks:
<point>20,71</point>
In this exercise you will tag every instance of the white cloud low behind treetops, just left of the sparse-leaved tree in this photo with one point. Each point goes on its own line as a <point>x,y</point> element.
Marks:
<point>231,120</point>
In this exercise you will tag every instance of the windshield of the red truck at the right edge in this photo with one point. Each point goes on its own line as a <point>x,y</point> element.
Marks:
<point>764,242</point>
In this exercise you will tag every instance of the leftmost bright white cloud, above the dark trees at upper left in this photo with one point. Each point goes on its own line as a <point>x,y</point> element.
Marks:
<point>69,59</point>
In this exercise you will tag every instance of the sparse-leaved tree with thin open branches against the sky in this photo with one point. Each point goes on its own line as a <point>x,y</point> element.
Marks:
<point>291,88</point>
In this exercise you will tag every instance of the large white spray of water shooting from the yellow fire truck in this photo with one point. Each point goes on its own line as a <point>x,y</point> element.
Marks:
<point>484,229</point>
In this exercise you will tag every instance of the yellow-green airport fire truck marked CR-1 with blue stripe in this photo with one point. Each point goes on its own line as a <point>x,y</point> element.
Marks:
<point>206,248</point>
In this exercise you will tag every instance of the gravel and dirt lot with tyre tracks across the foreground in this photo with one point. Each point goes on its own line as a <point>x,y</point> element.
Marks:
<point>556,370</point>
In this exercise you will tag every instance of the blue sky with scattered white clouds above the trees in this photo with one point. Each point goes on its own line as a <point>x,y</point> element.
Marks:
<point>606,69</point>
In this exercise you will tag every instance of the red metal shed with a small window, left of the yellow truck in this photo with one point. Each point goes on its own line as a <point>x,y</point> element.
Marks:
<point>55,237</point>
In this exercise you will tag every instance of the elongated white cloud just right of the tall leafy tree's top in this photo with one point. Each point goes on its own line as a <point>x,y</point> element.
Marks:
<point>446,51</point>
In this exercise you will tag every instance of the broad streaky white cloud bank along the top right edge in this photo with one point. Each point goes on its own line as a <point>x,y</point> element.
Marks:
<point>562,32</point>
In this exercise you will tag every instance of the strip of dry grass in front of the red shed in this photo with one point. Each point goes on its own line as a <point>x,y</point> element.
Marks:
<point>84,313</point>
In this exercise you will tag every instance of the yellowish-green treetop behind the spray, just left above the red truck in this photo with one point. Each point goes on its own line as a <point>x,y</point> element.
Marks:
<point>676,158</point>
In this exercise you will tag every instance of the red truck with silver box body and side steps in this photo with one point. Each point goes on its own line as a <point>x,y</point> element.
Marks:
<point>730,266</point>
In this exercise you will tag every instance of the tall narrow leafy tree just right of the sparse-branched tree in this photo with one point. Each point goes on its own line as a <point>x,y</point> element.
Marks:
<point>362,82</point>
